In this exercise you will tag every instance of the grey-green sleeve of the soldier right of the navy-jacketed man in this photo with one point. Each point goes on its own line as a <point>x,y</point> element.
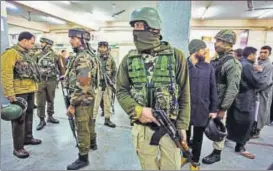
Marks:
<point>233,71</point>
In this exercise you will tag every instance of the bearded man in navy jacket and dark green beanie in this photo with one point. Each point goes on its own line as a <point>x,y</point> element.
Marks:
<point>203,97</point>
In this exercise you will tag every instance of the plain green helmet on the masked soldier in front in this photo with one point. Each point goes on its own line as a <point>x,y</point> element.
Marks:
<point>147,14</point>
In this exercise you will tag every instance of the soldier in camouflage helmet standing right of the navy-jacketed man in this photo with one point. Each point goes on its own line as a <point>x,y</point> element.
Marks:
<point>228,75</point>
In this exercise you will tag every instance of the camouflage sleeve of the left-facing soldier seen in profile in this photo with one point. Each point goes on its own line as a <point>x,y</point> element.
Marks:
<point>82,92</point>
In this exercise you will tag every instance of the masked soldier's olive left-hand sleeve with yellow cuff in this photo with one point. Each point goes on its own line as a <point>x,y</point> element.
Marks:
<point>129,105</point>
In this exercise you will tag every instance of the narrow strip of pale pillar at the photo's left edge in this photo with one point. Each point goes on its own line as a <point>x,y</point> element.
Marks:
<point>4,40</point>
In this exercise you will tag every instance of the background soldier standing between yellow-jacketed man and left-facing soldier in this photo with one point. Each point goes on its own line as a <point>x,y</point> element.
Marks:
<point>50,64</point>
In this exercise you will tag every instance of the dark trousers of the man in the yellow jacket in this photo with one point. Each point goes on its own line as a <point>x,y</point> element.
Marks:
<point>22,127</point>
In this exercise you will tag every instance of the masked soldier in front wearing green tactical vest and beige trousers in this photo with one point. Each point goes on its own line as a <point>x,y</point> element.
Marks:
<point>144,80</point>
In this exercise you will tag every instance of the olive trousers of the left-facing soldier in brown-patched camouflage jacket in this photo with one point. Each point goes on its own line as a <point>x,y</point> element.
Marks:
<point>85,125</point>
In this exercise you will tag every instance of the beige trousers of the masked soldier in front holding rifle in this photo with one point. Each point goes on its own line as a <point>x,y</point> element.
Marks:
<point>170,158</point>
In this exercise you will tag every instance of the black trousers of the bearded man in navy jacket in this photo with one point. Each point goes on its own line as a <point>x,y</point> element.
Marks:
<point>196,141</point>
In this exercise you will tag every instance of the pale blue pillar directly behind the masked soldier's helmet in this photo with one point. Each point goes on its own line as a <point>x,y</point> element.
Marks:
<point>175,16</point>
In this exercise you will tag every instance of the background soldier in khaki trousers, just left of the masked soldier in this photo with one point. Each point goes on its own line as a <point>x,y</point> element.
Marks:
<point>108,70</point>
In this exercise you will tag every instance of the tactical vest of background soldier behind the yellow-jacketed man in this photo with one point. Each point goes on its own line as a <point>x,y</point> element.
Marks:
<point>47,65</point>
